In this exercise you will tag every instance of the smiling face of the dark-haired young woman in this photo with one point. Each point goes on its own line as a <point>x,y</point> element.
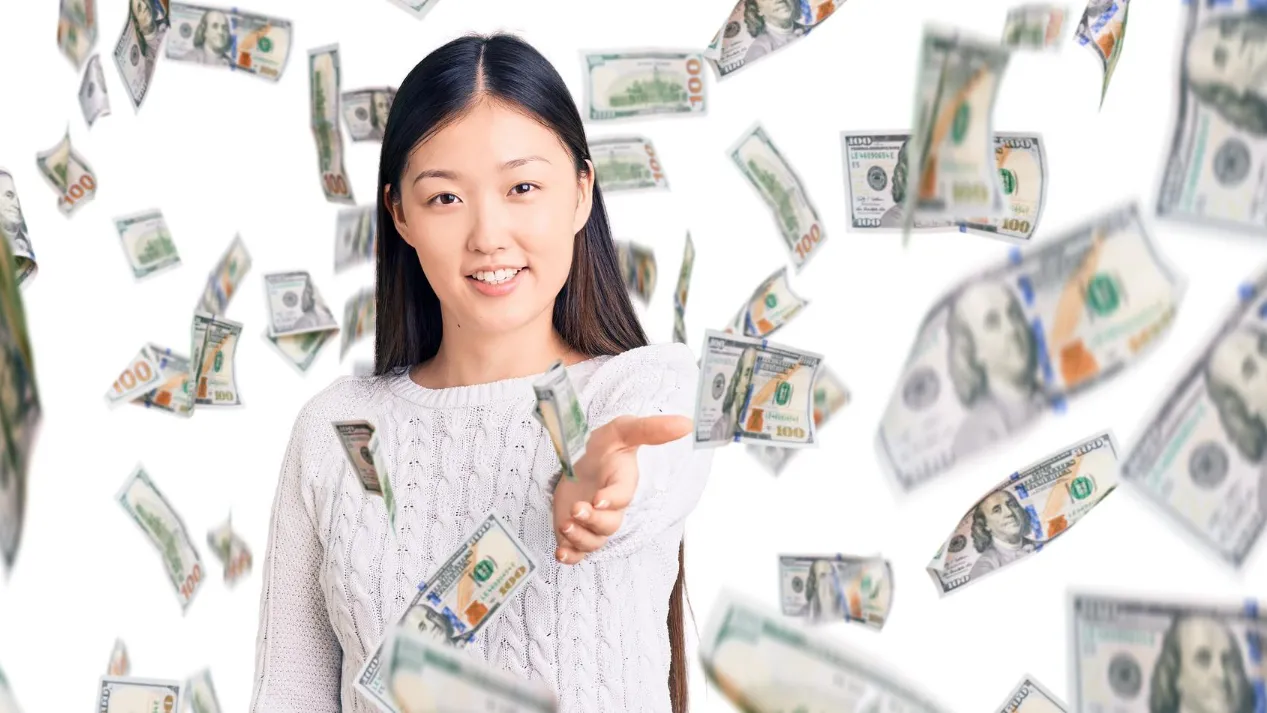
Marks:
<point>492,205</point>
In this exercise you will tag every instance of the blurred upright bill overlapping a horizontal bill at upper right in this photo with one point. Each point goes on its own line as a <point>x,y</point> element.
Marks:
<point>952,141</point>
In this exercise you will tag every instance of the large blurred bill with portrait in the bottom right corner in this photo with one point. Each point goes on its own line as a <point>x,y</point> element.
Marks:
<point>1143,655</point>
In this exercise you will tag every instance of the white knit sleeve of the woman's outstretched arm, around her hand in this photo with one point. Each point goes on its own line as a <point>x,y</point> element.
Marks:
<point>672,477</point>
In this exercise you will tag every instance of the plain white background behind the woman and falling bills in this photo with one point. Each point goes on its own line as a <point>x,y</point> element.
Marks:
<point>224,153</point>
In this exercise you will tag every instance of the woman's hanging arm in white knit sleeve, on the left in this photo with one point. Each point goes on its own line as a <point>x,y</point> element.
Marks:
<point>298,660</point>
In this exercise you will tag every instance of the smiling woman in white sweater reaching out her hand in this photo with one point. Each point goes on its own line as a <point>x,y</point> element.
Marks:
<point>495,262</point>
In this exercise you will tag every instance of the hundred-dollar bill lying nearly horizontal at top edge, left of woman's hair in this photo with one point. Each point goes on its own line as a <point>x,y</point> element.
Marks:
<point>230,39</point>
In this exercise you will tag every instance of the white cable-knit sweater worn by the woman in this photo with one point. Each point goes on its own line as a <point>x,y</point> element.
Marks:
<point>336,581</point>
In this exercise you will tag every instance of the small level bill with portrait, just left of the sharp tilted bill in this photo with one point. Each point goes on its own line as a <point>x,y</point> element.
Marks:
<point>832,588</point>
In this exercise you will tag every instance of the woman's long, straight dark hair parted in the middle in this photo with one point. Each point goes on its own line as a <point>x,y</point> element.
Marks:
<point>592,313</point>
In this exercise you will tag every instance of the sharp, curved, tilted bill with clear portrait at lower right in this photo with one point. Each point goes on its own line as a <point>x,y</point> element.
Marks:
<point>1027,512</point>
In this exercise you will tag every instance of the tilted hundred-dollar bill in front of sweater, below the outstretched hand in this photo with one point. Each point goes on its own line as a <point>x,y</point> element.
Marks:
<point>488,569</point>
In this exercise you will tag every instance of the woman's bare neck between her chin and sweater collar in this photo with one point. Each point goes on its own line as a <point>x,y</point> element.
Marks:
<point>471,356</point>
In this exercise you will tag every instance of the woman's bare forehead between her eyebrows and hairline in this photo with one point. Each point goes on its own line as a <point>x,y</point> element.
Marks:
<point>485,137</point>
